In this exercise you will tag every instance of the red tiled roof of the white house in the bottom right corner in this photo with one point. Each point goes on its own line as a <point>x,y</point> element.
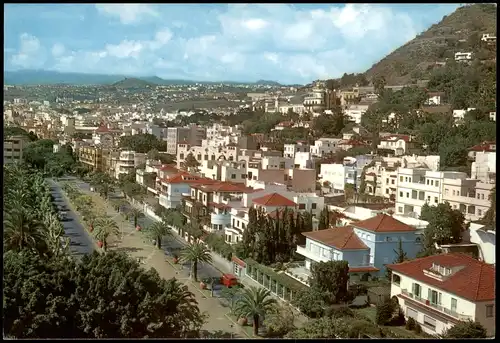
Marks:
<point>475,281</point>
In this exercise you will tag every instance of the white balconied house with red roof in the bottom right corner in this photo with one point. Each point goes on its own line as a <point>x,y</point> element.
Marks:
<point>440,291</point>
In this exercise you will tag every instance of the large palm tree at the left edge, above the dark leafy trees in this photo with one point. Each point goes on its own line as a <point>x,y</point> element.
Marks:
<point>22,231</point>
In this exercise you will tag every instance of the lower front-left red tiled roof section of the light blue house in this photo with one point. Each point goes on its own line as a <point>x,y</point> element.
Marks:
<point>341,238</point>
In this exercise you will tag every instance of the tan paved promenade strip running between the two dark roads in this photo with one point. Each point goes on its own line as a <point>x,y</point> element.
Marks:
<point>138,246</point>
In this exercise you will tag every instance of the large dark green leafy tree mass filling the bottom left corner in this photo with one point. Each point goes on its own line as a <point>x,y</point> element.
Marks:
<point>131,302</point>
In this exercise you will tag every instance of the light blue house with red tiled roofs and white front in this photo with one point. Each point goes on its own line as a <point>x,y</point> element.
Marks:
<point>367,245</point>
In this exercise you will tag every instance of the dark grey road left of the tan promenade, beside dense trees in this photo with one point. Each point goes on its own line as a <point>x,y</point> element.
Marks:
<point>80,242</point>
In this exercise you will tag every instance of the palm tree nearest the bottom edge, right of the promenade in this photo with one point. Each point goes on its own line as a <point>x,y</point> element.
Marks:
<point>254,302</point>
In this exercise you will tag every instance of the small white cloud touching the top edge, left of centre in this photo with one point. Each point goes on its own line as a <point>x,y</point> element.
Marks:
<point>128,13</point>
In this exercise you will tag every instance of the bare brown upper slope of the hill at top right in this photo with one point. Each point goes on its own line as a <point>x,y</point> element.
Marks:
<point>459,31</point>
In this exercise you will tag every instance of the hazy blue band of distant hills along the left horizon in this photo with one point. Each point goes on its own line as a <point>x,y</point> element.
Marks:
<point>47,77</point>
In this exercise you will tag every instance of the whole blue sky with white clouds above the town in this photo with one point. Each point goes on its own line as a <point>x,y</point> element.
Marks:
<point>240,42</point>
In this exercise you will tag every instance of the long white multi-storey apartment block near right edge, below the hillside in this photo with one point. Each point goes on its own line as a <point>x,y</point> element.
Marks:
<point>419,186</point>
